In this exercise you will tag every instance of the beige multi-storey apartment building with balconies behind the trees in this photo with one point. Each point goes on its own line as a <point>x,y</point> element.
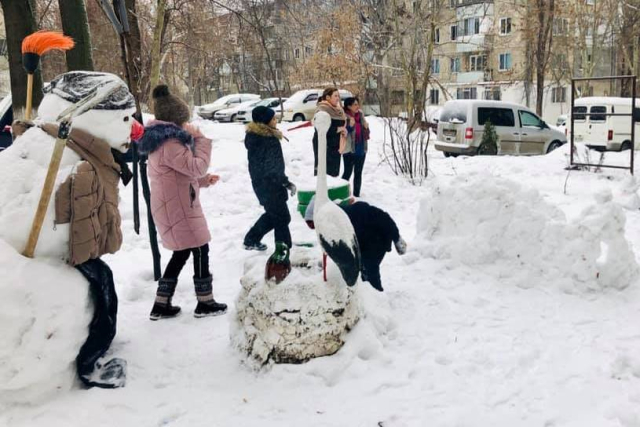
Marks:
<point>481,53</point>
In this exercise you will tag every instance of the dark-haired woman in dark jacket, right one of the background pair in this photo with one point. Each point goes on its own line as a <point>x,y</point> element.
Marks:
<point>355,150</point>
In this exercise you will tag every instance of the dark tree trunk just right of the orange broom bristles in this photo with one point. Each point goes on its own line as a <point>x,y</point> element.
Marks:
<point>76,25</point>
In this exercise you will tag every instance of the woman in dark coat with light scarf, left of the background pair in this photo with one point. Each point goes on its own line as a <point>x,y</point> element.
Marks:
<point>329,102</point>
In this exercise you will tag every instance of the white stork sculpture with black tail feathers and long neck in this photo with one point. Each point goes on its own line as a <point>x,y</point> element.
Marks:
<point>333,227</point>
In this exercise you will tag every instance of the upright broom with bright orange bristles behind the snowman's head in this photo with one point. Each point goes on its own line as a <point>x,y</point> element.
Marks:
<point>33,47</point>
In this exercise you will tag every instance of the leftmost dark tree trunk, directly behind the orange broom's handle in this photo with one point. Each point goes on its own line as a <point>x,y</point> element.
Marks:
<point>19,20</point>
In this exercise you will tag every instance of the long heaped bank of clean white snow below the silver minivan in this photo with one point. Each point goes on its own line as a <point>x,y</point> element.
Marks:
<point>512,233</point>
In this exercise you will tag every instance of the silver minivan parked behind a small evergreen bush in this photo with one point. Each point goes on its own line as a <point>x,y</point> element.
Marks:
<point>520,131</point>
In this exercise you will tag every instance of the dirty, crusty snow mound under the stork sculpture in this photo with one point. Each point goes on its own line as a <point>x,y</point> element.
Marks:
<point>294,321</point>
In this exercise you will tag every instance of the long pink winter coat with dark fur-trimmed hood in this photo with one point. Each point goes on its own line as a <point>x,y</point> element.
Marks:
<point>178,164</point>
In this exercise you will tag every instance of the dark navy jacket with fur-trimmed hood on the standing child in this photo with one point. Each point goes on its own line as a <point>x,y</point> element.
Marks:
<point>266,163</point>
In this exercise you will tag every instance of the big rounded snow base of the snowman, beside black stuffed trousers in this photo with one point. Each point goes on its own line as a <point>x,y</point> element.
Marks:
<point>44,313</point>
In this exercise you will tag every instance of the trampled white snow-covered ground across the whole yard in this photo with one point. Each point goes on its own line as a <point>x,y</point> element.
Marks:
<point>529,318</point>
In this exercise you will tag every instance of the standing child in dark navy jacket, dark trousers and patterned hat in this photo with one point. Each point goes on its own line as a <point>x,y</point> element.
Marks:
<point>266,167</point>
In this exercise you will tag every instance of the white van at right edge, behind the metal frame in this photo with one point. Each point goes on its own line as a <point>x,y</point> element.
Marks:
<point>600,131</point>
